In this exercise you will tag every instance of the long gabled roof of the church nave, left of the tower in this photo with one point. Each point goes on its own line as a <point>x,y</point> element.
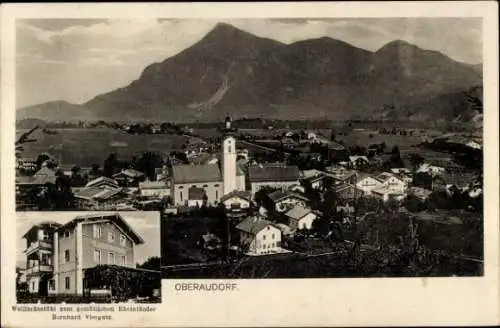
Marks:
<point>196,173</point>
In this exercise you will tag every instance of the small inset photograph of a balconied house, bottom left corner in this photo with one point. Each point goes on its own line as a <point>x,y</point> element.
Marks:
<point>88,257</point>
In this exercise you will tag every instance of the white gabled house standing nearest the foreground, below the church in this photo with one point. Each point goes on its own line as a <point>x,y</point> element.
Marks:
<point>259,236</point>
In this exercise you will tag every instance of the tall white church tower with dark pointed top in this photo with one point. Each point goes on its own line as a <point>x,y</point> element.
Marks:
<point>228,159</point>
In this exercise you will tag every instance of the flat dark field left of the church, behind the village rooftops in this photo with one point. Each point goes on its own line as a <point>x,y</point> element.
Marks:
<point>92,146</point>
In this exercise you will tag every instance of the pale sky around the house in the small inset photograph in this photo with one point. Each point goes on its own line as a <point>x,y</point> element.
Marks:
<point>145,224</point>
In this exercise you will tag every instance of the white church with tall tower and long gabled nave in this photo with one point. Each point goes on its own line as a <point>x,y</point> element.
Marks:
<point>216,180</point>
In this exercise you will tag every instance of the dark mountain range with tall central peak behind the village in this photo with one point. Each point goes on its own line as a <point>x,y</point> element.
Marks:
<point>232,72</point>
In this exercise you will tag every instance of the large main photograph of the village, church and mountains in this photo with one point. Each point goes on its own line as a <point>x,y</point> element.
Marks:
<point>273,148</point>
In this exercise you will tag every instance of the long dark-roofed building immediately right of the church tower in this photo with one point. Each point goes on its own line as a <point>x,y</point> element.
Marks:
<point>272,176</point>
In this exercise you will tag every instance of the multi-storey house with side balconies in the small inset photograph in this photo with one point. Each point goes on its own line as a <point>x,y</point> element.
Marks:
<point>58,255</point>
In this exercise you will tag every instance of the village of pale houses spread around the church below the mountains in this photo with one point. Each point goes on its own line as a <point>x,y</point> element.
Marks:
<point>299,192</point>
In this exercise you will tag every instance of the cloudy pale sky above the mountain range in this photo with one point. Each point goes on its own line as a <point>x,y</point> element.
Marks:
<point>76,59</point>
